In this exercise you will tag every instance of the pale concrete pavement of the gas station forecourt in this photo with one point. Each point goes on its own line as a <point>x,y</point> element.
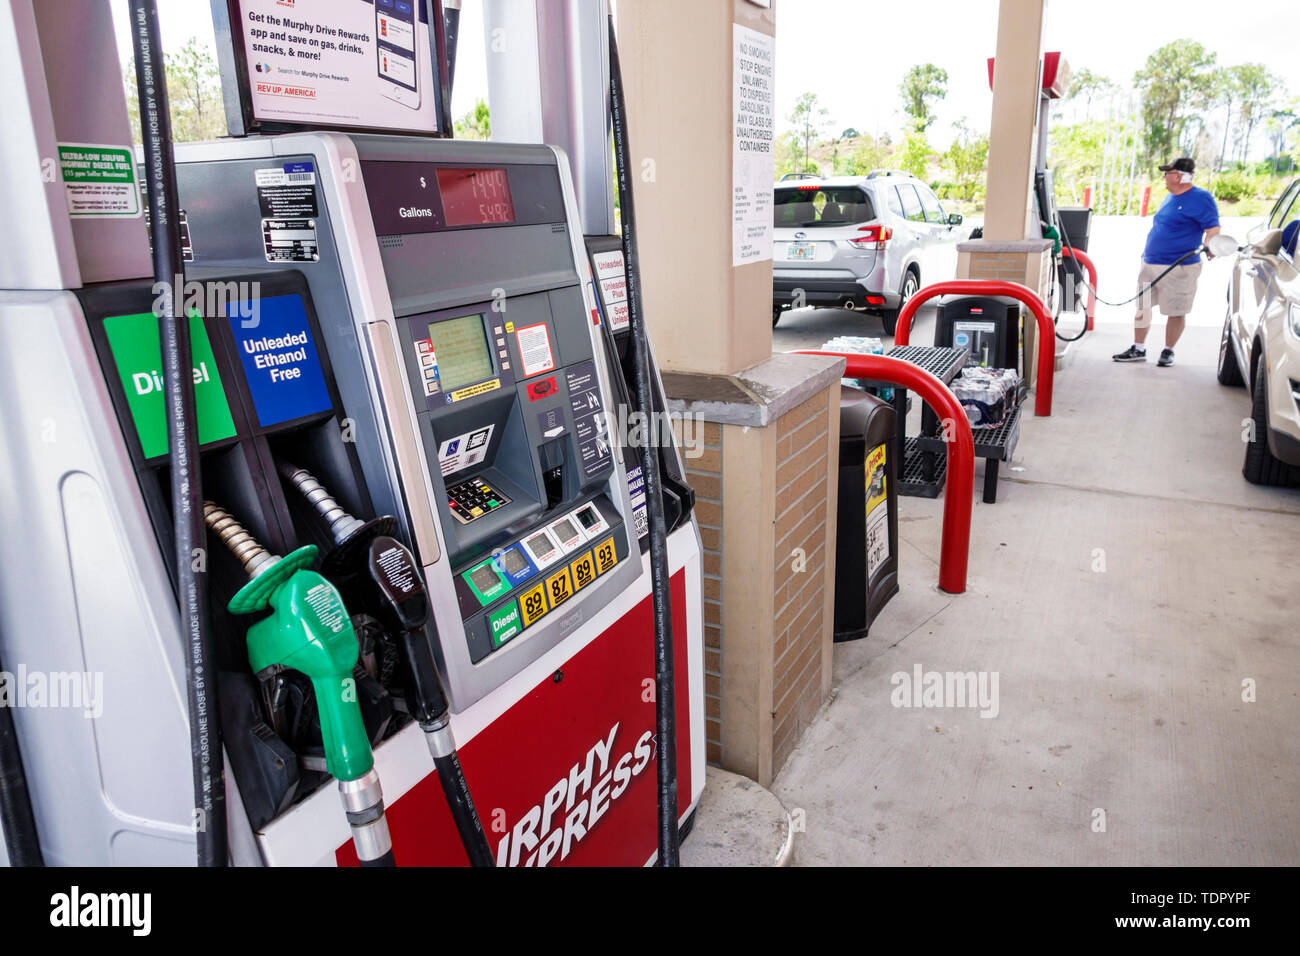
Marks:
<point>1136,599</point>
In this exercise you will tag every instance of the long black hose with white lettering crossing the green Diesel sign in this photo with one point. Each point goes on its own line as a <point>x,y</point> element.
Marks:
<point>183,438</point>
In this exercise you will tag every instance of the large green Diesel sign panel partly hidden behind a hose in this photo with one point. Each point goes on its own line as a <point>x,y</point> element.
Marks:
<point>135,343</point>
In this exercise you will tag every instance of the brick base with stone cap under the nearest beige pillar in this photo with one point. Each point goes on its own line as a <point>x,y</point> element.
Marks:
<point>766,483</point>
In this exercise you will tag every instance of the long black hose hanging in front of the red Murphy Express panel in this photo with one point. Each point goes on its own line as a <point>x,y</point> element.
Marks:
<point>665,698</point>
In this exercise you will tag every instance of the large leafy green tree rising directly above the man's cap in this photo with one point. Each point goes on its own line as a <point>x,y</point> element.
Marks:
<point>1176,80</point>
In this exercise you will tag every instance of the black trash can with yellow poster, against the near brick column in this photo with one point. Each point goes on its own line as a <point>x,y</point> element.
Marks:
<point>866,550</point>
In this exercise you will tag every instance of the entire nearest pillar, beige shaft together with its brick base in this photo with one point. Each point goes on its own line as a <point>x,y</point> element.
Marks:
<point>766,475</point>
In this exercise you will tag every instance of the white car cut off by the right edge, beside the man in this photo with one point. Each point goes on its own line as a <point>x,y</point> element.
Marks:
<point>1260,347</point>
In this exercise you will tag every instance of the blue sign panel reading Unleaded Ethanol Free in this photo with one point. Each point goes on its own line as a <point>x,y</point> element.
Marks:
<point>280,360</point>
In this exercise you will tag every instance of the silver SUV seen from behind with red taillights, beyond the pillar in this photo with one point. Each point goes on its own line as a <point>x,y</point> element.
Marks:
<point>861,243</point>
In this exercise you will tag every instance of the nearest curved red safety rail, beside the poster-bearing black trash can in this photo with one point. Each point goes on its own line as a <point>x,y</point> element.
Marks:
<point>956,544</point>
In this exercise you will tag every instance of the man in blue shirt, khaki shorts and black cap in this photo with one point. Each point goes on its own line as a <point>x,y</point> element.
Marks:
<point>1188,219</point>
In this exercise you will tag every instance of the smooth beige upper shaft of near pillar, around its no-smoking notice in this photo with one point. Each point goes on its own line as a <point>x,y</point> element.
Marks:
<point>705,314</point>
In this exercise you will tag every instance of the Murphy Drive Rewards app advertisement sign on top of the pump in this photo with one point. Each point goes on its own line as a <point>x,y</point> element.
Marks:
<point>340,63</point>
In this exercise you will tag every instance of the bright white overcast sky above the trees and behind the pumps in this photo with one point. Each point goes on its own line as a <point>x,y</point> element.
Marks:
<point>853,54</point>
